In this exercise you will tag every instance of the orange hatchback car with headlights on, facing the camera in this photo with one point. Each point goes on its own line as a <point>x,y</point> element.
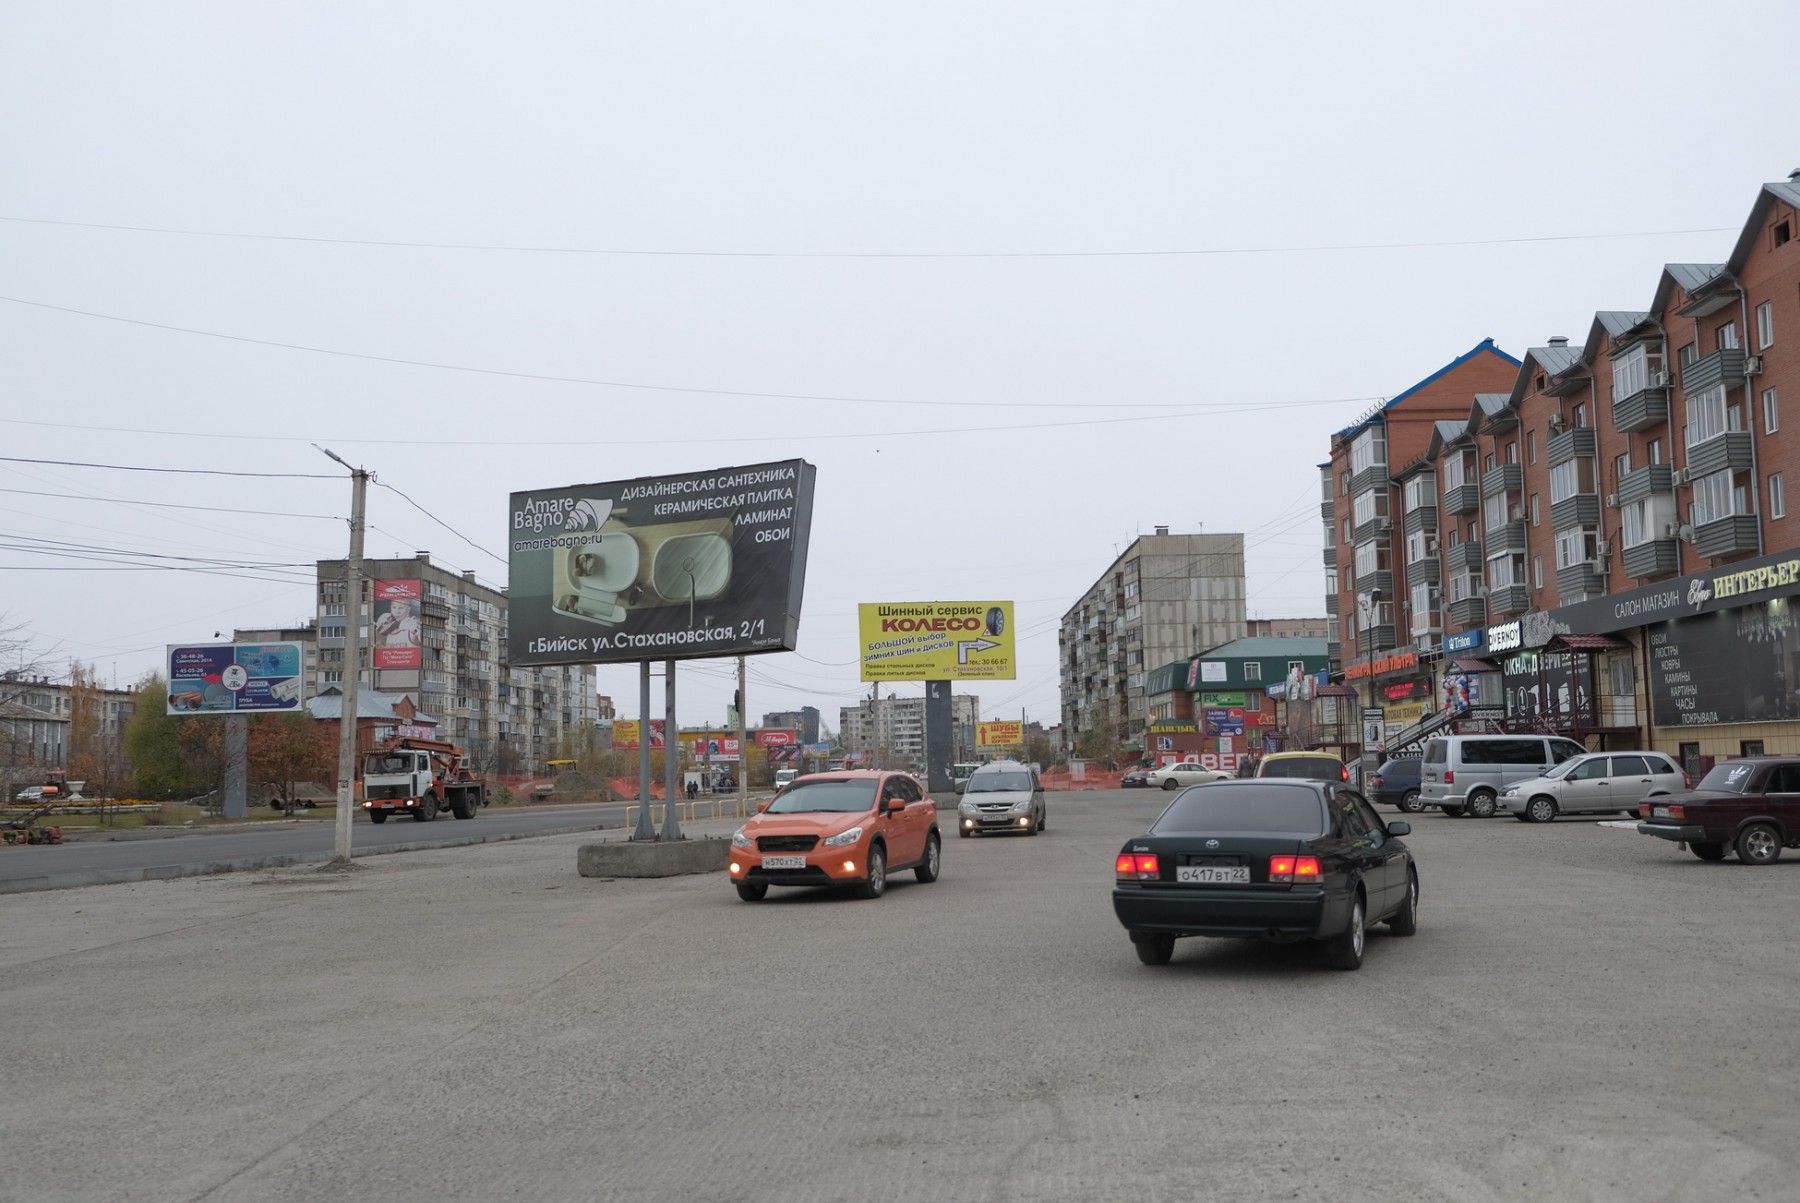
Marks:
<point>838,829</point>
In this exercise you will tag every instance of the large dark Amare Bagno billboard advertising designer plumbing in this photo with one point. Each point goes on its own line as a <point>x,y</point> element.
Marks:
<point>660,568</point>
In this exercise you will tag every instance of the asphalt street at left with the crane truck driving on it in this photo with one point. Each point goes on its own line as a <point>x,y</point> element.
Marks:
<point>82,862</point>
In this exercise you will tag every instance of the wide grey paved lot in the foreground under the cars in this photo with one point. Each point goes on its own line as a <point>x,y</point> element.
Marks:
<point>1585,1015</point>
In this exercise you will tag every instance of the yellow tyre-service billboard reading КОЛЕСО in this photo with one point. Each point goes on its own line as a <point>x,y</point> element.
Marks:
<point>937,640</point>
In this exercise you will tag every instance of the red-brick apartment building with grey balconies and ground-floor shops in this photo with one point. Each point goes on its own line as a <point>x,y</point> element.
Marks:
<point>1599,543</point>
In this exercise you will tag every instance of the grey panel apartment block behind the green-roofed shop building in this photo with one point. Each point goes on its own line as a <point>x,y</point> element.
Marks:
<point>1164,599</point>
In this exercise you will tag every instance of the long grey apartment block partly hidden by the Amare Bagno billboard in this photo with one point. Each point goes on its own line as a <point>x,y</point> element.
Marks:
<point>510,719</point>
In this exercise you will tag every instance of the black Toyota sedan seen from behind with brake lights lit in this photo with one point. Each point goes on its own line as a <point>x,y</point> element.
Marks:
<point>1281,860</point>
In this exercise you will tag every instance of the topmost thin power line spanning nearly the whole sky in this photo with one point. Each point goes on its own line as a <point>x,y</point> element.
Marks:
<point>861,255</point>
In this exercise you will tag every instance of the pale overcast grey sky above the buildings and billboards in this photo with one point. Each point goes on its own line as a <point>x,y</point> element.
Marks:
<point>892,203</point>
